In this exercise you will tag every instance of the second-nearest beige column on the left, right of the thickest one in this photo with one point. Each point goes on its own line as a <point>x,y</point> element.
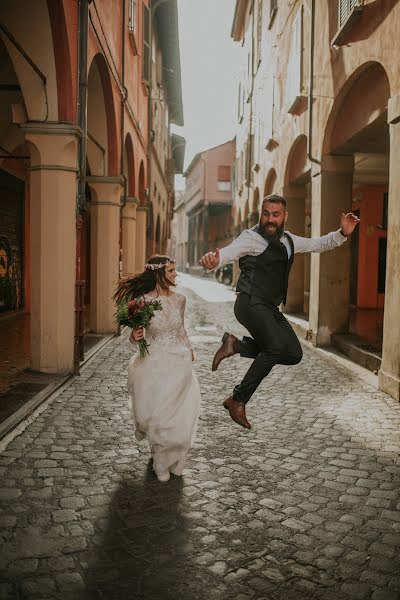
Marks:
<point>104,251</point>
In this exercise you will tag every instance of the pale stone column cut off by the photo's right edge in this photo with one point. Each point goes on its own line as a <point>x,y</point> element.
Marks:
<point>389,373</point>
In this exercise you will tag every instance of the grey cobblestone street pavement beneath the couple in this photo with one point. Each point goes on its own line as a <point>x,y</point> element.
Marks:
<point>305,505</point>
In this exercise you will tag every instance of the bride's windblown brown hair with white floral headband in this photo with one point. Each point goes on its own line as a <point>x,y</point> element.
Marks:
<point>133,286</point>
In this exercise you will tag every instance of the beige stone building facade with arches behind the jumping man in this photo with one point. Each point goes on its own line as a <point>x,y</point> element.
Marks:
<point>314,140</point>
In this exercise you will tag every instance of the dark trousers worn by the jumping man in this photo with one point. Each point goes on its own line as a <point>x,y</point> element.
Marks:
<point>272,342</point>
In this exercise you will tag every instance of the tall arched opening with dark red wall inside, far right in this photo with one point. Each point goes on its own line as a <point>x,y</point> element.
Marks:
<point>357,130</point>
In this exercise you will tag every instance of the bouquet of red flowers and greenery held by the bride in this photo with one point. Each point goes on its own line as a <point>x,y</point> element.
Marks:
<point>137,313</point>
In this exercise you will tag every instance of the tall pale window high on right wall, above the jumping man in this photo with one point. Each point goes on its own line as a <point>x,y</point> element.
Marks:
<point>294,70</point>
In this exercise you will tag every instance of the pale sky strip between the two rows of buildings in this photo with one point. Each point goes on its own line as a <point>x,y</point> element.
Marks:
<point>209,63</point>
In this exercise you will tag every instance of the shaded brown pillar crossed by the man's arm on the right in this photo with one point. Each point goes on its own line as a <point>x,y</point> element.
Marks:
<point>295,196</point>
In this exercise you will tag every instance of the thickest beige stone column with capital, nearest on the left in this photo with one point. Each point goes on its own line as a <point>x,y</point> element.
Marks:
<point>53,170</point>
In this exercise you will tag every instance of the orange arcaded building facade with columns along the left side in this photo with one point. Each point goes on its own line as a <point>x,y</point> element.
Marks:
<point>74,166</point>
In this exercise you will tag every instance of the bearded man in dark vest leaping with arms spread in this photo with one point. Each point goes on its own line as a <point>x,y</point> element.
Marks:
<point>265,255</point>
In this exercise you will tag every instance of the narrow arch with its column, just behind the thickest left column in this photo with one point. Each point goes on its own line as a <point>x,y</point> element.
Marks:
<point>106,190</point>
